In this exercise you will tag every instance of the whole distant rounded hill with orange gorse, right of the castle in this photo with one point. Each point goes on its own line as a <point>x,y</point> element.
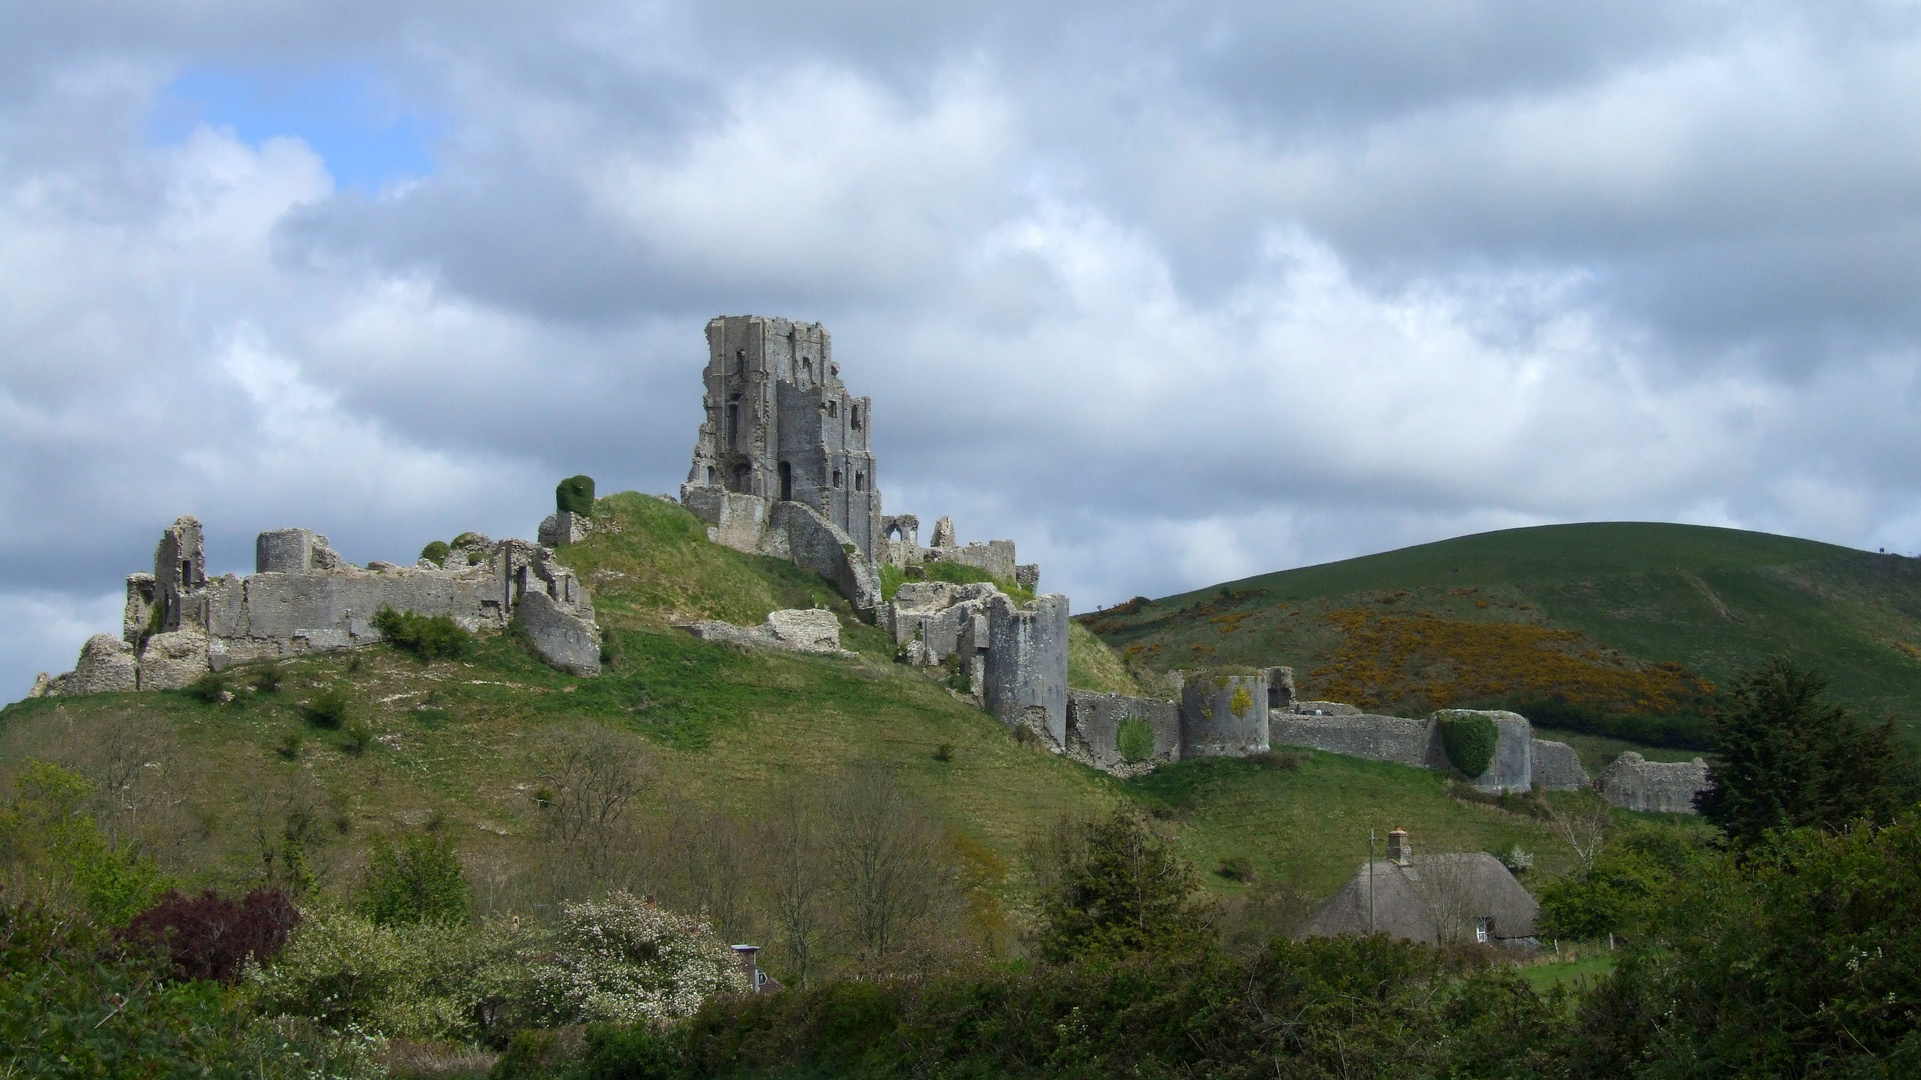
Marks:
<point>1622,616</point>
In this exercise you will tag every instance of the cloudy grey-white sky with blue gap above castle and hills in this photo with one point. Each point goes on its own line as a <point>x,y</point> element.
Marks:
<point>1167,293</point>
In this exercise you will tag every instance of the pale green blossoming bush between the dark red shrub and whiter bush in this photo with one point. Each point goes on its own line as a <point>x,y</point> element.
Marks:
<point>420,981</point>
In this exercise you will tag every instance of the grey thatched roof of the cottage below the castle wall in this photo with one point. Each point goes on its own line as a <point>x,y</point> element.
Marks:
<point>1430,898</point>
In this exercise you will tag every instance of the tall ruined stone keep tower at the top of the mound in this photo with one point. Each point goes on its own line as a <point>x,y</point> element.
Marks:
<point>781,426</point>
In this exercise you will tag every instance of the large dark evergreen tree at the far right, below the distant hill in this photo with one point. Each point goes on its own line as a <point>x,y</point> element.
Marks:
<point>1787,760</point>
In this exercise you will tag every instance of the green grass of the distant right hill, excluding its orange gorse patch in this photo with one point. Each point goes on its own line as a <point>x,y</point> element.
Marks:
<point>1634,595</point>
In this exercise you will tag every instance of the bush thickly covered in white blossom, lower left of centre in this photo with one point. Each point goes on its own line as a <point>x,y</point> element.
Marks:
<point>623,960</point>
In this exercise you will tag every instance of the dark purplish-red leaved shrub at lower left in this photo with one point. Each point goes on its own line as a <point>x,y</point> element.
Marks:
<point>212,937</point>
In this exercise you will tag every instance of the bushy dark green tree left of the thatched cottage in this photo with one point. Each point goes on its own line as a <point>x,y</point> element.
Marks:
<point>1117,885</point>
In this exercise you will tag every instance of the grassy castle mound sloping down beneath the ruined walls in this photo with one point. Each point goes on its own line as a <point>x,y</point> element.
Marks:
<point>256,789</point>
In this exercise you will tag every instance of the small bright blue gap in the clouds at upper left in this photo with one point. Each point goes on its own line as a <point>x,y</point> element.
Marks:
<point>345,114</point>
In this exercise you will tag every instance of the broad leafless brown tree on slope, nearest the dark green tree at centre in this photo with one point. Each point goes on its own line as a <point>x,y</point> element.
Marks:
<point>887,860</point>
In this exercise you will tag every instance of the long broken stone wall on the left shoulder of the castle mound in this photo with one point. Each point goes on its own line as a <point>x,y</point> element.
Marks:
<point>306,599</point>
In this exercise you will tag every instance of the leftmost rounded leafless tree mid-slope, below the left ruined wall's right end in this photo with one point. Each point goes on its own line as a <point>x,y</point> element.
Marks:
<point>589,783</point>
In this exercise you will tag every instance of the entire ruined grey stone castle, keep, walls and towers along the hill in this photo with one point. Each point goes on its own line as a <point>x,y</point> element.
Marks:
<point>785,466</point>
